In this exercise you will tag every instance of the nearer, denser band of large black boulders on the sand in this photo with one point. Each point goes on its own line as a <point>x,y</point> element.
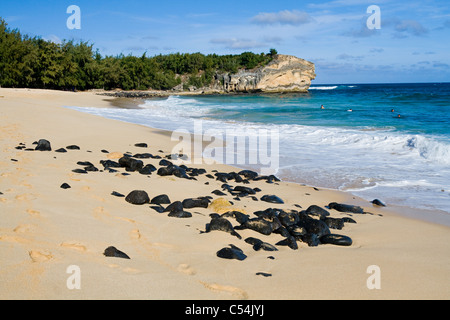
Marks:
<point>312,226</point>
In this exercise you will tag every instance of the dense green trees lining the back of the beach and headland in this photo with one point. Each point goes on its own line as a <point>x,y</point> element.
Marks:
<point>27,62</point>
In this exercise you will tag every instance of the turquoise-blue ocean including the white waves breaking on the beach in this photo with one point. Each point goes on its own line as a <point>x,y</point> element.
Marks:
<point>385,141</point>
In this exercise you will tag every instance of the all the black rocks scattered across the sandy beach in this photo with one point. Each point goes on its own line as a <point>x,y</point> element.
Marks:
<point>313,226</point>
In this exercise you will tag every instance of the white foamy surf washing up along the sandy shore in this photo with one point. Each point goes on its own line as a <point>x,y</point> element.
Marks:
<point>397,167</point>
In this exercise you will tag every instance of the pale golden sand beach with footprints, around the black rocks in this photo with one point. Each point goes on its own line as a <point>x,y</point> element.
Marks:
<point>45,229</point>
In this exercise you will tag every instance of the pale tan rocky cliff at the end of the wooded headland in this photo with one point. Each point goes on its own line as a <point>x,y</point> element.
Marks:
<point>283,74</point>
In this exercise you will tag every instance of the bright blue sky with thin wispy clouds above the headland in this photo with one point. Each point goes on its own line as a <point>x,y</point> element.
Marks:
<point>413,44</point>
